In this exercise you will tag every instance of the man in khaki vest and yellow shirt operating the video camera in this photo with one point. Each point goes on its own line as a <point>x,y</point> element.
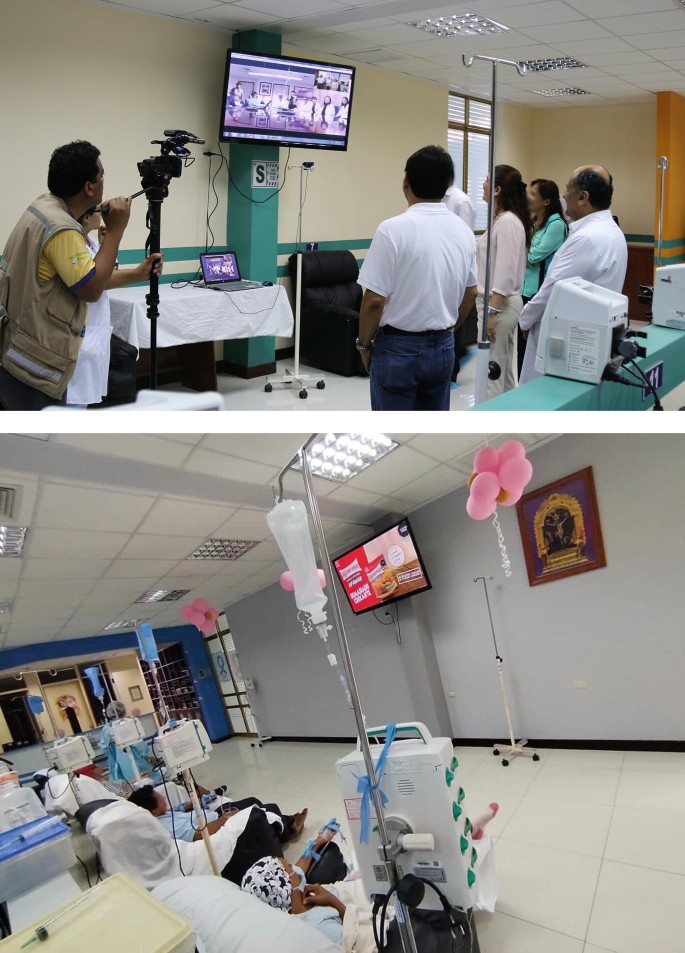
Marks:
<point>47,277</point>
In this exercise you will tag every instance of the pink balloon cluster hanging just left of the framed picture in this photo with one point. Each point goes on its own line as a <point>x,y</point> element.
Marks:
<point>499,476</point>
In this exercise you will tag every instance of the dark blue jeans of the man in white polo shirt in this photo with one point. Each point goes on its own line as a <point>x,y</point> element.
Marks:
<point>411,372</point>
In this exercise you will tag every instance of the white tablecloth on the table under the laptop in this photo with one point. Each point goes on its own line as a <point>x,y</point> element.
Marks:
<point>191,314</point>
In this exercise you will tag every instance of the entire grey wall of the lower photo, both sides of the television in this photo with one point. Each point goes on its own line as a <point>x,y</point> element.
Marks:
<point>620,629</point>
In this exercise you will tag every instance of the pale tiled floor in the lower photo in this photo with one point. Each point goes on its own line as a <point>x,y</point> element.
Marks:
<point>590,844</point>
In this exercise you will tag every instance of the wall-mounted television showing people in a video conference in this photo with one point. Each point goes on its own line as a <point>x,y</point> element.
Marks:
<point>278,100</point>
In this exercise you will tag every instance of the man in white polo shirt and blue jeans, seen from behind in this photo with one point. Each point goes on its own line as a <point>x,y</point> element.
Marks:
<point>420,282</point>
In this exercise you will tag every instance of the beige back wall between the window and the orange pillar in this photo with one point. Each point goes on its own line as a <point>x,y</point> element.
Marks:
<point>550,143</point>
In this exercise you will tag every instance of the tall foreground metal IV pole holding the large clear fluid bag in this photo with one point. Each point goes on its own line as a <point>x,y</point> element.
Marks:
<point>300,458</point>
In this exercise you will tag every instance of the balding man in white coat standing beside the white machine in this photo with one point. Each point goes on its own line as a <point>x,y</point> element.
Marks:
<point>595,250</point>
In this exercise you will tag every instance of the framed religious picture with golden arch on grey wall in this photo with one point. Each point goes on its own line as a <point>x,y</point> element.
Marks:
<point>560,529</point>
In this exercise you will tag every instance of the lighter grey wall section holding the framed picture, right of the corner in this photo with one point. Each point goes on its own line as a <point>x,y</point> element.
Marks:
<point>620,628</point>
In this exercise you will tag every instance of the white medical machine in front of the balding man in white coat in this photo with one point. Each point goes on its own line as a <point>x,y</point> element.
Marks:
<point>579,330</point>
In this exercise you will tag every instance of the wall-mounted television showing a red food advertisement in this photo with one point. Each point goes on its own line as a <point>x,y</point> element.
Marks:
<point>385,568</point>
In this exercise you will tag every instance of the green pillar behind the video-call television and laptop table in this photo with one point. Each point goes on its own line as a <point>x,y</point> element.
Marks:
<point>252,229</point>
